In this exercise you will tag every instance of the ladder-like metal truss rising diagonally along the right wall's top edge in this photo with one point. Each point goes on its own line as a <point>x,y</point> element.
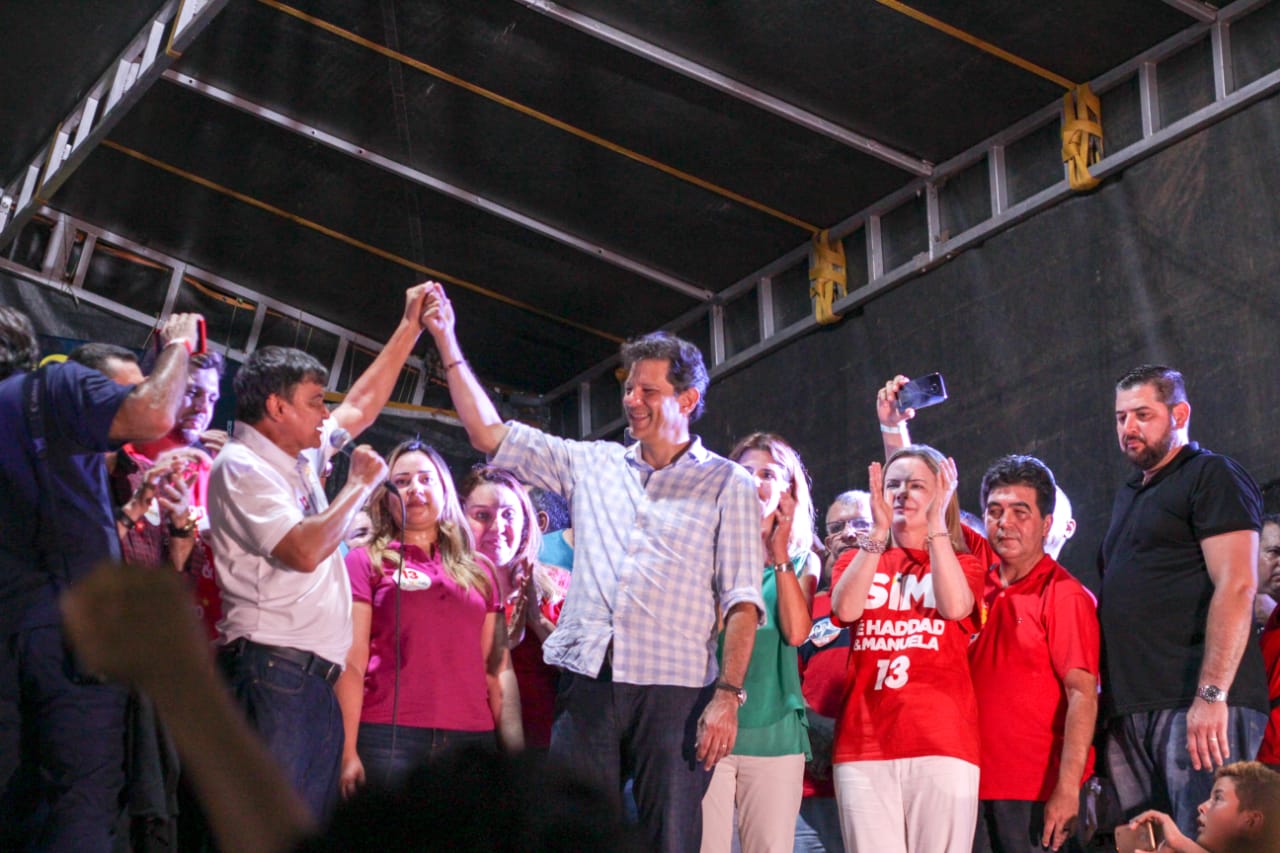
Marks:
<point>1156,136</point>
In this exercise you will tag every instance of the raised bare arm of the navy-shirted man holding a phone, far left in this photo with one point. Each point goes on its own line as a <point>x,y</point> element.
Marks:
<point>152,408</point>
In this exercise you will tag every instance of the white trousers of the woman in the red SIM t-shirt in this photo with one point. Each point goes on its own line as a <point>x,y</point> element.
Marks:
<point>926,805</point>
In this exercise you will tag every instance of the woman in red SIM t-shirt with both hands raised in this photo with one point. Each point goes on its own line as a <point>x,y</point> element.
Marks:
<point>906,761</point>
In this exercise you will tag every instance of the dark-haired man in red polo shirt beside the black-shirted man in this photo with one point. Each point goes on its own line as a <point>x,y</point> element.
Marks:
<point>1035,670</point>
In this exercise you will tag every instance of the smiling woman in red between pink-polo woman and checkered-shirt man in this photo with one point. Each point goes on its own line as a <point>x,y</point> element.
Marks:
<point>506,532</point>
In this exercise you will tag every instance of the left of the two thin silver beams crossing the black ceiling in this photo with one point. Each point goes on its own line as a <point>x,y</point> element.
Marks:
<point>438,185</point>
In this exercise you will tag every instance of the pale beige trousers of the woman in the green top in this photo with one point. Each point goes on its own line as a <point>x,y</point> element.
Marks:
<point>767,793</point>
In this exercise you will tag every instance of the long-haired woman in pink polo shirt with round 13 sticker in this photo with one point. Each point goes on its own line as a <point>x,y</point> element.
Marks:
<point>429,668</point>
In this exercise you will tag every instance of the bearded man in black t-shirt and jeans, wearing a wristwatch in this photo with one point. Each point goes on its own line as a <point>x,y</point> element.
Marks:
<point>1183,679</point>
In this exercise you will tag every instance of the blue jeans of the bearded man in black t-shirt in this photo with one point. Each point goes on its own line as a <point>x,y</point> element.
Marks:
<point>1150,767</point>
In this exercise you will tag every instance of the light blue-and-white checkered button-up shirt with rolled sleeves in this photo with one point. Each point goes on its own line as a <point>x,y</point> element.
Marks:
<point>655,554</point>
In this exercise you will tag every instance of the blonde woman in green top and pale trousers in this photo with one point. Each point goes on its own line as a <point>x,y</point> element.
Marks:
<point>764,777</point>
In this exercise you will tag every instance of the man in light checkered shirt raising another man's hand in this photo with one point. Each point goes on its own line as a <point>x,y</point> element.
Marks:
<point>668,537</point>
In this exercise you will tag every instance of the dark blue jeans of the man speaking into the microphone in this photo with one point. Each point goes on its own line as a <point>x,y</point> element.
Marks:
<point>296,715</point>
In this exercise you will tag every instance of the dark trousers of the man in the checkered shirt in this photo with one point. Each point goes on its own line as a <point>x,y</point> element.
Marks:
<point>604,728</point>
